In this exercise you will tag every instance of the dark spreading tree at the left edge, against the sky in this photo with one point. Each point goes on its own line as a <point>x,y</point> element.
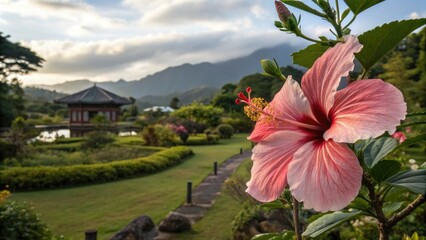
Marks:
<point>14,60</point>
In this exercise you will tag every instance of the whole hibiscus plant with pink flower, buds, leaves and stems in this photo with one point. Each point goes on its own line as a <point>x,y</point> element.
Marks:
<point>330,146</point>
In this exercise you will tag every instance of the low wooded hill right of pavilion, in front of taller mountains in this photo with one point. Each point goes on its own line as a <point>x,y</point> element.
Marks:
<point>201,94</point>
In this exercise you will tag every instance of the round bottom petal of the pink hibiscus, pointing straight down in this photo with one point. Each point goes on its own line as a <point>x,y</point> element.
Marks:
<point>324,175</point>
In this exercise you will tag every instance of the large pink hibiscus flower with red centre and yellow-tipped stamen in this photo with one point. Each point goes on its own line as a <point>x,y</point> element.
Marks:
<point>303,133</point>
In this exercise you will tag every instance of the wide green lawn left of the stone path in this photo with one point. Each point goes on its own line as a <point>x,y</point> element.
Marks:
<point>109,207</point>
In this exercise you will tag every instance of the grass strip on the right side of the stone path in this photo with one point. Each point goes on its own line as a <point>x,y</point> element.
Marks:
<point>220,215</point>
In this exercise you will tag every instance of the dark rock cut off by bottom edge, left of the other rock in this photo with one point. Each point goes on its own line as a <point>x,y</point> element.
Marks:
<point>142,228</point>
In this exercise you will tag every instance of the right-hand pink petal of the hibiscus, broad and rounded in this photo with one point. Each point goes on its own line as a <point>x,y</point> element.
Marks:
<point>364,109</point>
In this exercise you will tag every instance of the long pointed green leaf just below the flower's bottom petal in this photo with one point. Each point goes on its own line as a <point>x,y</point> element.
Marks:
<point>327,222</point>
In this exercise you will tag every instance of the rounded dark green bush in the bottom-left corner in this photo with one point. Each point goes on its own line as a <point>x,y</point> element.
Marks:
<point>19,221</point>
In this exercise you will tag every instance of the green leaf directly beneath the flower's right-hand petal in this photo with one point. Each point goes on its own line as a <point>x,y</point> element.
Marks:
<point>378,149</point>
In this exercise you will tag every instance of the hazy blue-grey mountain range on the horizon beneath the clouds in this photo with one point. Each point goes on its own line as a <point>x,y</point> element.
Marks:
<point>185,77</point>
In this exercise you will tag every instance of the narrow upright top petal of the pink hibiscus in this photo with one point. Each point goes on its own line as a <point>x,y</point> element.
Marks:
<point>320,83</point>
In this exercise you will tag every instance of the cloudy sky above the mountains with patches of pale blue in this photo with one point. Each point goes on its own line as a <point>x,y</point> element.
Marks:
<point>104,40</point>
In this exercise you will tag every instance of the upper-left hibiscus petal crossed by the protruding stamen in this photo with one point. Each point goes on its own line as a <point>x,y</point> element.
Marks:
<point>288,103</point>
